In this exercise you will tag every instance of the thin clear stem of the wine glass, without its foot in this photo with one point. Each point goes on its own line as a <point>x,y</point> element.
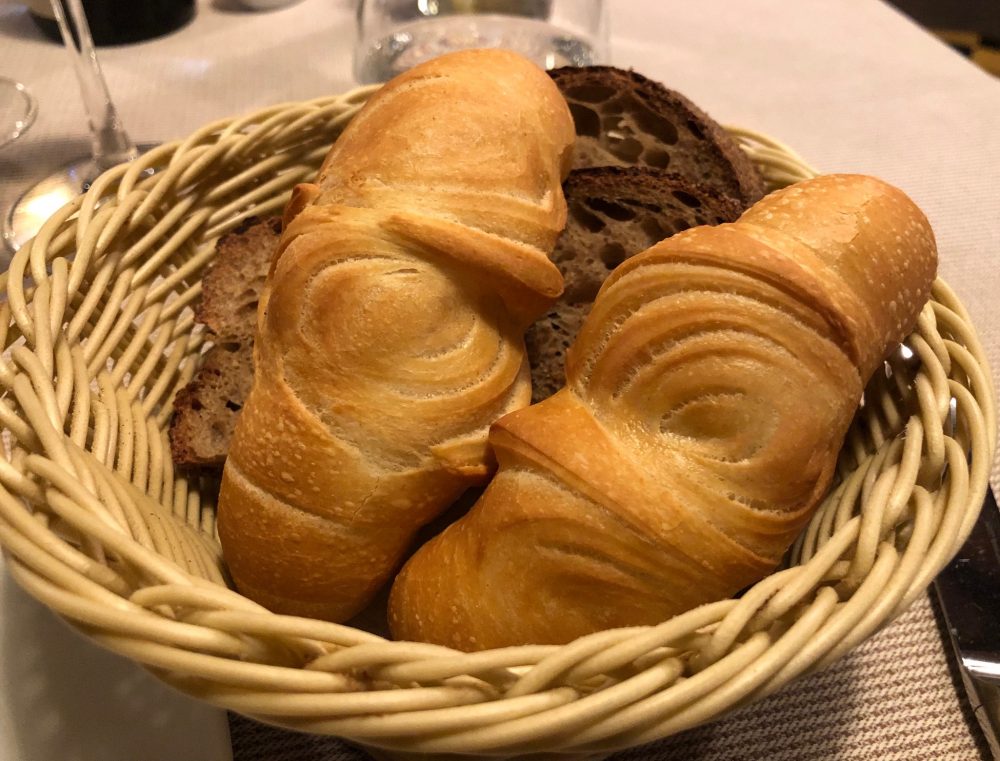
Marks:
<point>110,144</point>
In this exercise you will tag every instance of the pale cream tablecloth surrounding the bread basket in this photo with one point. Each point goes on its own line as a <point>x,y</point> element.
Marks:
<point>852,85</point>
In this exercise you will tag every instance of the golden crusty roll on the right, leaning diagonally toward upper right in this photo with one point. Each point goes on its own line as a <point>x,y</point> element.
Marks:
<point>707,397</point>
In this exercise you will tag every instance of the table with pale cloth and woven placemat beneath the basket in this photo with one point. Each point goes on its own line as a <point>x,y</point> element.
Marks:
<point>852,86</point>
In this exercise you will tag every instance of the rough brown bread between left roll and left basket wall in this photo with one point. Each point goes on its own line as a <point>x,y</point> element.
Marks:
<point>205,412</point>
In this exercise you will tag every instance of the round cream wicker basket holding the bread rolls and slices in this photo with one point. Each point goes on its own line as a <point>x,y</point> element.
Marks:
<point>98,335</point>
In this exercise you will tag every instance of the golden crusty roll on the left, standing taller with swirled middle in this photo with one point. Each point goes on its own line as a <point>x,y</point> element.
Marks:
<point>390,332</point>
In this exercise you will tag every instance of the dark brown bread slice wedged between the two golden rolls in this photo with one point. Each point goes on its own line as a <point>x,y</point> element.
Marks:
<point>614,213</point>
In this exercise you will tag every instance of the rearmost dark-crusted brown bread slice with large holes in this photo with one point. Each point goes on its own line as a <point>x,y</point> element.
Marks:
<point>624,119</point>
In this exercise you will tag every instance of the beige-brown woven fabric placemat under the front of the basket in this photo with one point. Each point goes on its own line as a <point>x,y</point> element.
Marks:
<point>897,697</point>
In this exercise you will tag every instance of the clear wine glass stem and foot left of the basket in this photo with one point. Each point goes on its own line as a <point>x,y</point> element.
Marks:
<point>110,144</point>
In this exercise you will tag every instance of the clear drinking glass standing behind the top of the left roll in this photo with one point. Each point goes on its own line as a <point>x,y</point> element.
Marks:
<point>395,35</point>
